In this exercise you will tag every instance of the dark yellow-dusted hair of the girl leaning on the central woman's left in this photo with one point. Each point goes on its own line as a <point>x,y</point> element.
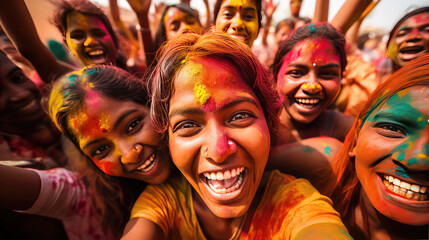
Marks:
<point>113,196</point>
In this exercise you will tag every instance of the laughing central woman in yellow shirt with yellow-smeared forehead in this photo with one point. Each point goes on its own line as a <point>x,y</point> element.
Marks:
<point>214,102</point>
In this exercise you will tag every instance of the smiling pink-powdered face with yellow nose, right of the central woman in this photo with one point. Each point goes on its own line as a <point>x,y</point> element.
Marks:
<point>309,79</point>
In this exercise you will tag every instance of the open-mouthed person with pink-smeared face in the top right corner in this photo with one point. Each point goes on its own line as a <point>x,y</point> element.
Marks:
<point>409,38</point>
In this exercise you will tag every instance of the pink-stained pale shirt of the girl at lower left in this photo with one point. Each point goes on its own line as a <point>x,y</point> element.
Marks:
<point>63,195</point>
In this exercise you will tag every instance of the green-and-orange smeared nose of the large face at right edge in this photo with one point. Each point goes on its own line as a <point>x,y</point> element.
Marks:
<point>413,154</point>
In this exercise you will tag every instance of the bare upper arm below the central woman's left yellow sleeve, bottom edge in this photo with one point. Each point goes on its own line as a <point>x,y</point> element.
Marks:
<point>141,228</point>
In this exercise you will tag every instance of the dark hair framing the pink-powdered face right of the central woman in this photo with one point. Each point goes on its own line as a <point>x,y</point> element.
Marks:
<point>319,30</point>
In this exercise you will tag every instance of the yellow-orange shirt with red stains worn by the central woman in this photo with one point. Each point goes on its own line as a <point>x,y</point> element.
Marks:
<point>288,206</point>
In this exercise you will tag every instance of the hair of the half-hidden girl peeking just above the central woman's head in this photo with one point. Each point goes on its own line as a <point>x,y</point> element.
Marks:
<point>161,34</point>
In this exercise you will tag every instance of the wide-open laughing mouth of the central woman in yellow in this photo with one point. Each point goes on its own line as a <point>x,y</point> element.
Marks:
<point>225,182</point>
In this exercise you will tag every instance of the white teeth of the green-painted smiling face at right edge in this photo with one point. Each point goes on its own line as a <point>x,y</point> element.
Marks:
<point>402,188</point>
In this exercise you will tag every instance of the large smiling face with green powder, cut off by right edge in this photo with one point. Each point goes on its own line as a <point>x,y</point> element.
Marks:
<point>392,157</point>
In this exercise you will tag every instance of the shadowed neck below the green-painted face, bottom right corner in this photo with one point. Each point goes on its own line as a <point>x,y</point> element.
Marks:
<point>382,227</point>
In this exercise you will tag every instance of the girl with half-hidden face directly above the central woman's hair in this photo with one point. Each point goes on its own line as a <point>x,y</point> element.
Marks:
<point>174,20</point>
